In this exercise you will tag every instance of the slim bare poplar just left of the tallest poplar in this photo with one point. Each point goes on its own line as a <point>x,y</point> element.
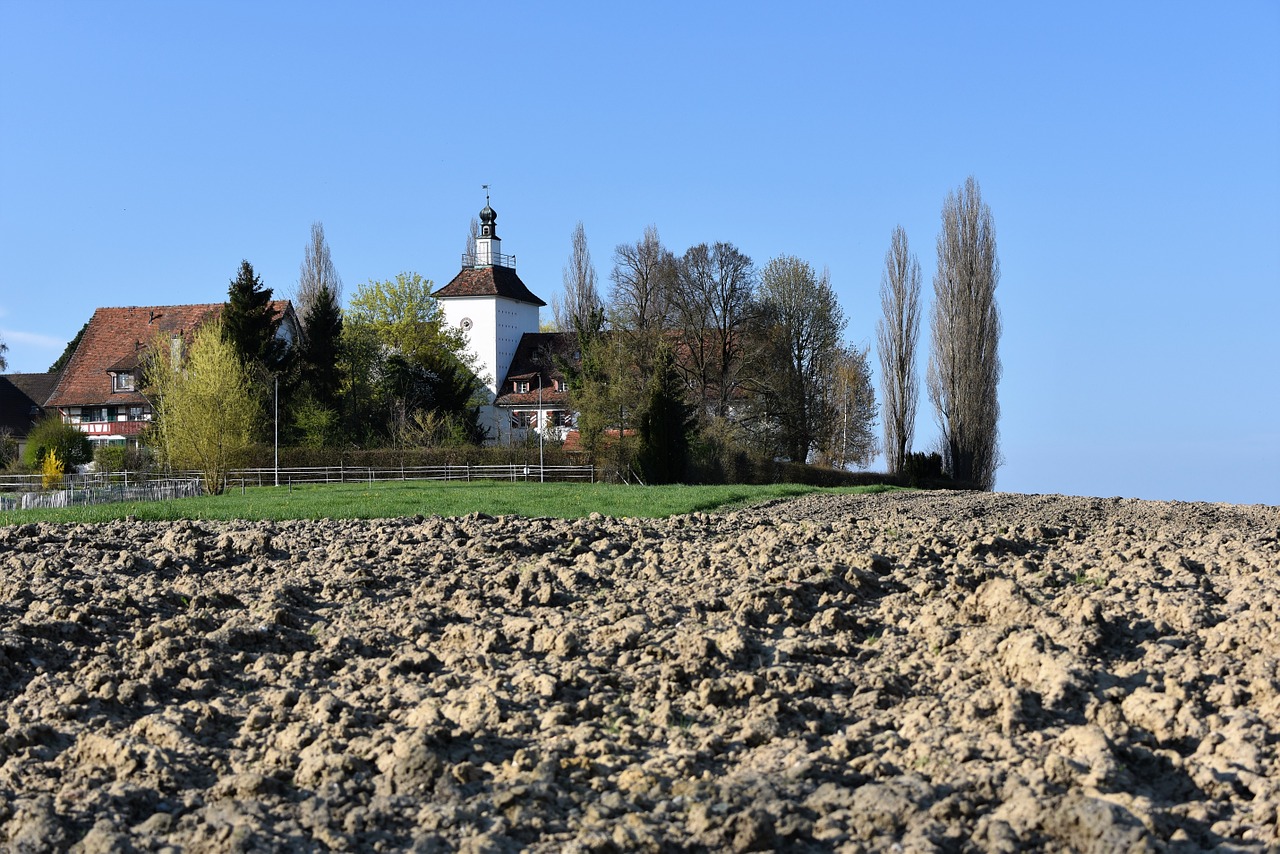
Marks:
<point>897,335</point>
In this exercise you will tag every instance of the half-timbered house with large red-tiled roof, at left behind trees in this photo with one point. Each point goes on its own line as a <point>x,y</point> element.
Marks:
<point>100,392</point>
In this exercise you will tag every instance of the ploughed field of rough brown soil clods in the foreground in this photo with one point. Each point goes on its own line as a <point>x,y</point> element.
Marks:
<point>912,672</point>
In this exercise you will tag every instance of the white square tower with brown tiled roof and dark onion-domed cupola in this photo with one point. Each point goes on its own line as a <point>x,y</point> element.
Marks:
<point>493,308</point>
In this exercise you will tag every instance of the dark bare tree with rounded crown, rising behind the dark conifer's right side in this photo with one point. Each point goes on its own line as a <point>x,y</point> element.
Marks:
<point>714,303</point>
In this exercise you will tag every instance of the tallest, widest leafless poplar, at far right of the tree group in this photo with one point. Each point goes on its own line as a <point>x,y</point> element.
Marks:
<point>964,362</point>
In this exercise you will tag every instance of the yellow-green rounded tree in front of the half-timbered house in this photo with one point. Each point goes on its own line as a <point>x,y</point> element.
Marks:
<point>205,407</point>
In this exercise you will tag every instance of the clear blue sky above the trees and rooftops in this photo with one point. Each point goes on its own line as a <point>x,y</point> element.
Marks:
<point>1130,153</point>
